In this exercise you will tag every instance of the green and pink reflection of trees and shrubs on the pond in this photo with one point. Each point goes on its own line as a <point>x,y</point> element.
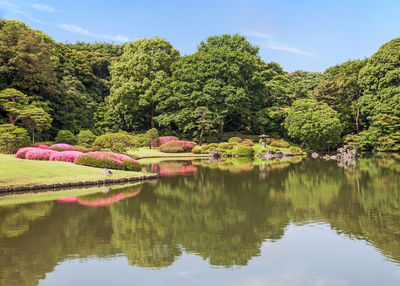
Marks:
<point>222,212</point>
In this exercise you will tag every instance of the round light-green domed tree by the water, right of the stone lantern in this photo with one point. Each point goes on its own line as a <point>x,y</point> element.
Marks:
<point>313,123</point>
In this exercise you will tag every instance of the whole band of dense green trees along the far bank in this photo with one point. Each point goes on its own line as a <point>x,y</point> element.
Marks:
<point>223,87</point>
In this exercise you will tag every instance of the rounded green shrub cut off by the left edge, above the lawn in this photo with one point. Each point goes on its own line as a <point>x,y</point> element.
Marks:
<point>12,138</point>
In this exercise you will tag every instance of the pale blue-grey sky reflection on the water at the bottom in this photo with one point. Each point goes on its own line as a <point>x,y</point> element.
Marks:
<point>306,255</point>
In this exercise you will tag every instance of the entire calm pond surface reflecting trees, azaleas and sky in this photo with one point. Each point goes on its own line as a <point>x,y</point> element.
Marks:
<point>238,222</point>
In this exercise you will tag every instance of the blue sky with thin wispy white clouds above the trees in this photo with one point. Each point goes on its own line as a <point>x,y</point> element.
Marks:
<point>307,35</point>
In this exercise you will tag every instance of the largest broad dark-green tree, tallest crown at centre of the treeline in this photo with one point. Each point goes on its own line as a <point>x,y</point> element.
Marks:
<point>224,75</point>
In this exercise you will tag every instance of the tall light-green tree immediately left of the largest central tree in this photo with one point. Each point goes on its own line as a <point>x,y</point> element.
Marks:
<point>137,77</point>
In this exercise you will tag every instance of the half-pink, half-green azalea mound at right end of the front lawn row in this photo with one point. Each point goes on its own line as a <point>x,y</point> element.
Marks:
<point>108,160</point>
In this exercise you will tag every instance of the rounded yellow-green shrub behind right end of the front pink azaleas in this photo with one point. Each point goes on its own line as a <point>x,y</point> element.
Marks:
<point>116,142</point>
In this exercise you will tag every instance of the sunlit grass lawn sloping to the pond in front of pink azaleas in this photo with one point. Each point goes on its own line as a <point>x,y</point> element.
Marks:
<point>17,172</point>
